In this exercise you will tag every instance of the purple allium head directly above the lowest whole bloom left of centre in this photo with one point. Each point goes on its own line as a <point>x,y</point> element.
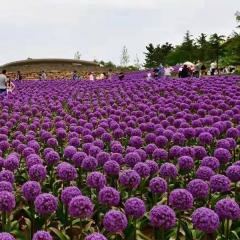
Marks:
<point>109,196</point>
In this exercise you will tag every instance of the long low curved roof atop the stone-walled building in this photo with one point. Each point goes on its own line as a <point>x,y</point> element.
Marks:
<point>50,60</point>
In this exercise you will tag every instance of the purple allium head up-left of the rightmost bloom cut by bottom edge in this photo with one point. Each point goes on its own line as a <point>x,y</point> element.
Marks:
<point>81,207</point>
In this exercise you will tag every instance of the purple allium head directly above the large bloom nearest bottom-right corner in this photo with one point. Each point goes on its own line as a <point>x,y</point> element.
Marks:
<point>220,183</point>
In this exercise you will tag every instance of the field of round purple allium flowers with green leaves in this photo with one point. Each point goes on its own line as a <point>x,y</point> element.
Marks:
<point>130,159</point>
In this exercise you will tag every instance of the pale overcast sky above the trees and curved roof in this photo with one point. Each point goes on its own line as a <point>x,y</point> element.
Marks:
<point>100,28</point>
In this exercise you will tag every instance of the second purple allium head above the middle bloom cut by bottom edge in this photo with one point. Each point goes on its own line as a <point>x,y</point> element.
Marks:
<point>31,190</point>
